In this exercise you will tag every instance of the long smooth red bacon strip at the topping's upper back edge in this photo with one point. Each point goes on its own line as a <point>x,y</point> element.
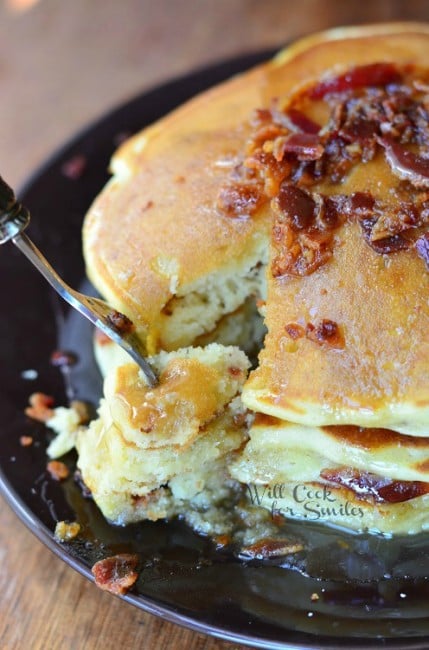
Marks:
<point>364,76</point>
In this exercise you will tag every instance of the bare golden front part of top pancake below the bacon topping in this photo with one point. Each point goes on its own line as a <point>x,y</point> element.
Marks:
<point>379,375</point>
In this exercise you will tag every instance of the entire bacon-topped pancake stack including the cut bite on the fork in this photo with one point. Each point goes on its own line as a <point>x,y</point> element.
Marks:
<point>286,209</point>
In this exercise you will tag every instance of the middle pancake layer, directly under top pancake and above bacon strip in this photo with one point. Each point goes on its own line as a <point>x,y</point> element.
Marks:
<point>281,451</point>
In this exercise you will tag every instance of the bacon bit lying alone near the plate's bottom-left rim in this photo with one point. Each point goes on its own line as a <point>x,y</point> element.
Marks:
<point>116,574</point>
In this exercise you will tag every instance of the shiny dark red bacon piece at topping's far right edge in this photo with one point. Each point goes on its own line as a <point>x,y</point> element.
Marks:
<point>406,164</point>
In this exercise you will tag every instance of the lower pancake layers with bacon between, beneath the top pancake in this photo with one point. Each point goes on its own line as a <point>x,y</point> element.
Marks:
<point>361,479</point>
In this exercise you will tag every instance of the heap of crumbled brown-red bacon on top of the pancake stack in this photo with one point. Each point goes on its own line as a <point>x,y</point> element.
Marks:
<point>375,109</point>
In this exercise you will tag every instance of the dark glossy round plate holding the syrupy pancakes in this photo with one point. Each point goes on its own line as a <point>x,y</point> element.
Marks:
<point>372,592</point>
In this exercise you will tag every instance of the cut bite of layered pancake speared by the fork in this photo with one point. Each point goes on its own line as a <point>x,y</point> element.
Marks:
<point>148,445</point>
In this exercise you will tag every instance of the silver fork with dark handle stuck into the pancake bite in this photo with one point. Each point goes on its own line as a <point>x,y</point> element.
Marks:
<point>14,218</point>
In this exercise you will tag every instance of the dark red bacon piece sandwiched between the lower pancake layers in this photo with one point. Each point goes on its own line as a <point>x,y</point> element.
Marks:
<point>383,490</point>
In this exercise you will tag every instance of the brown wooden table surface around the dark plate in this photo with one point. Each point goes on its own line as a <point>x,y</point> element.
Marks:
<point>63,64</point>
